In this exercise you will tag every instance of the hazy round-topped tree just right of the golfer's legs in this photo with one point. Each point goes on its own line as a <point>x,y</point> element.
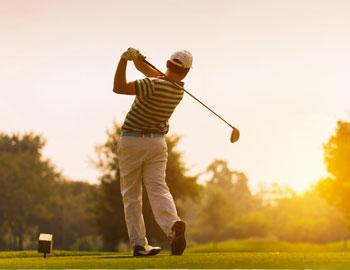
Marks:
<point>226,199</point>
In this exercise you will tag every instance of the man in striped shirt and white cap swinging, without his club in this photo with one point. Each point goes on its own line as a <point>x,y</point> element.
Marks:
<point>142,150</point>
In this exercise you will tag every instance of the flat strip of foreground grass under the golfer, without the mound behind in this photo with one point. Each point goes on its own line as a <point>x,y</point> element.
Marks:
<point>338,260</point>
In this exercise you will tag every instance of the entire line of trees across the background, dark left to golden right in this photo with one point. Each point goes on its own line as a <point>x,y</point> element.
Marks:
<point>35,197</point>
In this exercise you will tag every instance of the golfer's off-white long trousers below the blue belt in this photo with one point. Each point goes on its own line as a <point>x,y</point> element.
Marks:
<point>144,159</point>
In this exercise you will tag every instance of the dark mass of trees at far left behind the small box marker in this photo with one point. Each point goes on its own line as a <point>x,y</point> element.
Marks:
<point>35,199</point>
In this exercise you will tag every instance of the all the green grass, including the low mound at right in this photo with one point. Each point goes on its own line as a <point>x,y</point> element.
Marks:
<point>230,254</point>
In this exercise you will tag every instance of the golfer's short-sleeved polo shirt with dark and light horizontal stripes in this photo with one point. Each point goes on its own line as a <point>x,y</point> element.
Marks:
<point>155,101</point>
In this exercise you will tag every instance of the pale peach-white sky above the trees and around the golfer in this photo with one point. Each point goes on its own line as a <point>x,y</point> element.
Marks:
<point>278,70</point>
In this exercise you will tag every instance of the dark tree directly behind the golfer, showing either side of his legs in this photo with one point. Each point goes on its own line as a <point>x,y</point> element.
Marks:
<point>110,212</point>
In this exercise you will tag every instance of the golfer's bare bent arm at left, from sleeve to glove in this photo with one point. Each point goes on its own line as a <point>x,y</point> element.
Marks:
<point>121,86</point>
